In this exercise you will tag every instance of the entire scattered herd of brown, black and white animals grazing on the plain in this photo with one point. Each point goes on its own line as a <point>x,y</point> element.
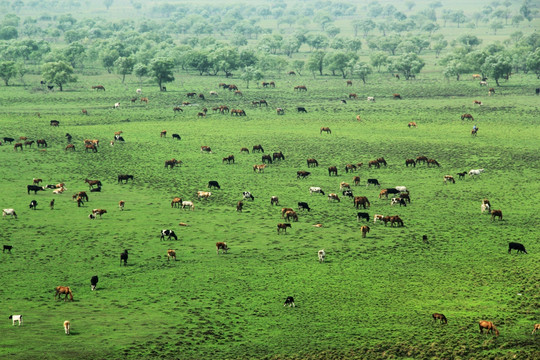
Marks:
<point>400,194</point>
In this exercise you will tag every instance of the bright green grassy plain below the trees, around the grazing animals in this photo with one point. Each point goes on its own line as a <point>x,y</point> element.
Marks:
<point>373,297</point>
